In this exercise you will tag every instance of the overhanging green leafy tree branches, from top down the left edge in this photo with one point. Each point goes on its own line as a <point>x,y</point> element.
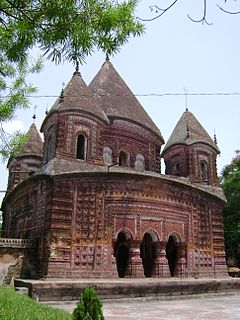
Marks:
<point>65,30</point>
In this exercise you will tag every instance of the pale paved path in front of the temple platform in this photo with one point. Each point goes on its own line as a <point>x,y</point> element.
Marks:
<point>207,307</point>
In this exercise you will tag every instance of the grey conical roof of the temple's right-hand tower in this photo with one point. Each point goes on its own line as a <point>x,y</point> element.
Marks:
<point>189,131</point>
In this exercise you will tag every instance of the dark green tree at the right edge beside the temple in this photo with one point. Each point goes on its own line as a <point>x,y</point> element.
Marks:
<point>230,181</point>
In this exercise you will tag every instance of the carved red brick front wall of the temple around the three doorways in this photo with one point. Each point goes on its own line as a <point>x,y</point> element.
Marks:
<point>86,215</point>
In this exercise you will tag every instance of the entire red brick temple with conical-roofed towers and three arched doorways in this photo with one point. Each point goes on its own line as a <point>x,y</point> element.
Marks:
<point>92,196</point>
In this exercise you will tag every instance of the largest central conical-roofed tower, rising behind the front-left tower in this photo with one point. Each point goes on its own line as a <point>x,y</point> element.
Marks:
<point>132,139</point>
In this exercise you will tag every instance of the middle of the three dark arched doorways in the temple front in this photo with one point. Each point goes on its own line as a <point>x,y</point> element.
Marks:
<point>148,254</point>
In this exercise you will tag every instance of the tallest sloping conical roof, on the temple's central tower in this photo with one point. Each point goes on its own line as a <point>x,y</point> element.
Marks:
<point>117,99</point>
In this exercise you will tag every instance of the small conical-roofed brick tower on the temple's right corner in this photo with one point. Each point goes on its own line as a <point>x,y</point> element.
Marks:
<point>190,152</point>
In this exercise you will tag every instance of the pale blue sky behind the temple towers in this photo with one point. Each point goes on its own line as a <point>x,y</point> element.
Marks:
<point>175,53</point>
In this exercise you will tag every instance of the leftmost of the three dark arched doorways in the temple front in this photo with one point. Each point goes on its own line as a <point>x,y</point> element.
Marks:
<point>122,254</point>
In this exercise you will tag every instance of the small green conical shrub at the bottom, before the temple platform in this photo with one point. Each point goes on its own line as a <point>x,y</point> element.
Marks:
<point>89,306</point>
